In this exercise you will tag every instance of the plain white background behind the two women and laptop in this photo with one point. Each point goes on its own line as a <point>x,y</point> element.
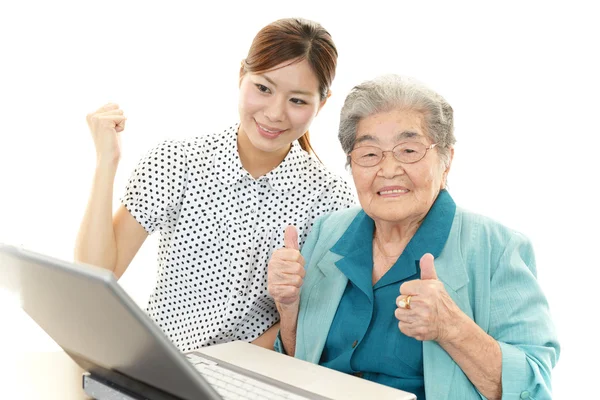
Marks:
<point>522,78</point>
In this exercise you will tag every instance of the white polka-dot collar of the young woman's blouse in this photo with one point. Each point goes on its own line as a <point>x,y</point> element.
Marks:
<point>229,169</point>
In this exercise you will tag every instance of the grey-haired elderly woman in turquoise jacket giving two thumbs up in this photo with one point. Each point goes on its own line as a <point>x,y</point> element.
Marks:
<point>409,290</point>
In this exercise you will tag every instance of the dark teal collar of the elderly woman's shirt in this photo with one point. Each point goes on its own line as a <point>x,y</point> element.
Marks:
<point>356,248</point>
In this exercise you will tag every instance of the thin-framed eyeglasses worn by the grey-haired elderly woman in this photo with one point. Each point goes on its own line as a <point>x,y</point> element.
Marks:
<point>406,153</point>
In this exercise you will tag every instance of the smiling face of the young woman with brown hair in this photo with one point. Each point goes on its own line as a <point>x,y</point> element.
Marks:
<point>278,106</point>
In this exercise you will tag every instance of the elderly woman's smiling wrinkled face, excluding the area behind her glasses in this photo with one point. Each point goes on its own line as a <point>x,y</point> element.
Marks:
<point>393,191</point>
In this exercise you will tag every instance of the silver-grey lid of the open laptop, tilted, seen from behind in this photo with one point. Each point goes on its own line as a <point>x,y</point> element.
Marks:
<point>92,318</point>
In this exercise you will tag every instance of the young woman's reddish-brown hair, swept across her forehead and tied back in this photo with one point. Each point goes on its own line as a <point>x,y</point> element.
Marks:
<point>294,39</point>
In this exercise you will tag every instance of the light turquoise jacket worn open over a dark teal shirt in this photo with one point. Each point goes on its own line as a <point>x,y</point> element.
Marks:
<point>487,269</point>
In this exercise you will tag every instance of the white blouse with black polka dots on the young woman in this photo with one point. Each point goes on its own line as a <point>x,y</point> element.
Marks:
<point>218,227</point>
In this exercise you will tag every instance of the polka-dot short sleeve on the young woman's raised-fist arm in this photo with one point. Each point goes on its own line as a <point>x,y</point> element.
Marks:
<point>156,187</point>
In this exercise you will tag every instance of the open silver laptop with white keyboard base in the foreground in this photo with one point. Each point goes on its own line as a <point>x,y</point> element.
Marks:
<point>126,355</point>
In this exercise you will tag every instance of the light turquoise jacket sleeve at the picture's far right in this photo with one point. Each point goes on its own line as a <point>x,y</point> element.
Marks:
<point>521,323</point>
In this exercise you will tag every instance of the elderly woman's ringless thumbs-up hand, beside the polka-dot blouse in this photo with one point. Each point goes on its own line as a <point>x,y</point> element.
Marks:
<point>285,272</point>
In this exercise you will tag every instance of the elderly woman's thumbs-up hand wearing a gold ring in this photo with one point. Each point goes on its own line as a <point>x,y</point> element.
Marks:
<point>425,310</point>
